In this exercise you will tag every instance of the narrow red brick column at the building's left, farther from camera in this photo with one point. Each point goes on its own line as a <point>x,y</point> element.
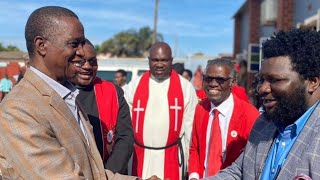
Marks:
<point>254,21</point>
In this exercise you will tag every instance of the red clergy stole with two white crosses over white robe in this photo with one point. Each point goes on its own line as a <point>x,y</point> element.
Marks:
<point>176,109</point>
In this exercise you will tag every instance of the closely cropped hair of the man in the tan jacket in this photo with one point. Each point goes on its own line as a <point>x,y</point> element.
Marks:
<point>42,22</point>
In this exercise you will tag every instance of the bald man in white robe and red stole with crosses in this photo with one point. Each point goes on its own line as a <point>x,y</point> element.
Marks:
<point>162,104</point>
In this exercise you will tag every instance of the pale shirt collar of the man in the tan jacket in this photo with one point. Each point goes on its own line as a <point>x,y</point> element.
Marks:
<point>63,90</point>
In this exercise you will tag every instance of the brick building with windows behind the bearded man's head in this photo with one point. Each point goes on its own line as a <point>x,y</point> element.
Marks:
<point>257,20</point>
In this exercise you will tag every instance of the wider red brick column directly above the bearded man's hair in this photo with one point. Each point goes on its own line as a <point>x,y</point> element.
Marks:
<point>285,15</point>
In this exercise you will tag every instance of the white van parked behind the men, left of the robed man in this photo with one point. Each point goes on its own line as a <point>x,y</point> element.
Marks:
<point>133,67</point>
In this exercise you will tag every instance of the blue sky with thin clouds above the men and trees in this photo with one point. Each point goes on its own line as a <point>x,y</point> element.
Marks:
<point>189,26</point>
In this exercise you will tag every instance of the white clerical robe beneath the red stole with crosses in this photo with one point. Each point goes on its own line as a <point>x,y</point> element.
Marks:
<point>156,122</point>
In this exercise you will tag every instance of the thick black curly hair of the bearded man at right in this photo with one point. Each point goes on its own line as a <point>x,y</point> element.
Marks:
<point>301,46</point>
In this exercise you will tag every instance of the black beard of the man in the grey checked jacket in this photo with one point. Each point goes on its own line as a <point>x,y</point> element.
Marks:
<point>290,107</point>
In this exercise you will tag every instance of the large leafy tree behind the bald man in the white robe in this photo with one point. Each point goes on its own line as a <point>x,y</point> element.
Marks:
<point>129,43</point>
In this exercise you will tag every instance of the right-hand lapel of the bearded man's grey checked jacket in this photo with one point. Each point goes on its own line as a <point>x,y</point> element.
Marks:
<point>301,144</point>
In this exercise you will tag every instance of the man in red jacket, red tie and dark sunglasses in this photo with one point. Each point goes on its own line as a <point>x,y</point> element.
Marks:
<point>222,122</point>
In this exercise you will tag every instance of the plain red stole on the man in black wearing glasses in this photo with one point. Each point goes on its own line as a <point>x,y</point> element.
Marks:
<point>108,107</point>
